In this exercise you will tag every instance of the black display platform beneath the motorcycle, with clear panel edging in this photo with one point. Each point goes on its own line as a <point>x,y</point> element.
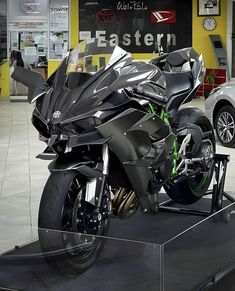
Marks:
<point>132,266</point>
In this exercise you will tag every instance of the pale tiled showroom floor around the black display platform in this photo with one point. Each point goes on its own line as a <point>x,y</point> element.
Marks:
<point>22,176</point>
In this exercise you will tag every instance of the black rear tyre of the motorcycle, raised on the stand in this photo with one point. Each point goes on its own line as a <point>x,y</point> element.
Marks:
<point>191,190</point>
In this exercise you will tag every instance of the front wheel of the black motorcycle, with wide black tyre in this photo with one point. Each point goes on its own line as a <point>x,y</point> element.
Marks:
<point>68,225</point>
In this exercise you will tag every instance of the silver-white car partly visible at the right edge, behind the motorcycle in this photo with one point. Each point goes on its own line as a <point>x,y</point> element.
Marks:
<point>220,109</point>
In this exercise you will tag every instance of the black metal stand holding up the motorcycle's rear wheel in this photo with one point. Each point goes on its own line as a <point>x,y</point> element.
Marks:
<point>220,167</point>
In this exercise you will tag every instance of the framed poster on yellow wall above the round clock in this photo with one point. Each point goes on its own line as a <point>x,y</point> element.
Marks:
<point>208,7</point>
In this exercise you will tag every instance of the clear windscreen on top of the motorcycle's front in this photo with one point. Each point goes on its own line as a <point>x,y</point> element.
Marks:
<point>92,55</point>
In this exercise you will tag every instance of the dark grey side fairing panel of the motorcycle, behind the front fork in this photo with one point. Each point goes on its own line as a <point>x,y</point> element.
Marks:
<point>129,135</point>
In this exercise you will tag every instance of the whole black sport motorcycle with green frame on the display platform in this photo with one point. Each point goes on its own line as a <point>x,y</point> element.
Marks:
<point>116,136</point>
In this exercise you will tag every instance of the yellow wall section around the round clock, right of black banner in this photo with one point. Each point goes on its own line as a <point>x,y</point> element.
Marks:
<point>201,41</point>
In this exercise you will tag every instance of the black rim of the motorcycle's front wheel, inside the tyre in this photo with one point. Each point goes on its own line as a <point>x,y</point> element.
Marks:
<point>76,220</point>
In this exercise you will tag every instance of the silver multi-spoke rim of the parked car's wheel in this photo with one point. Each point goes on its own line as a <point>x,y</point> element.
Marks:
<point>226,127</point>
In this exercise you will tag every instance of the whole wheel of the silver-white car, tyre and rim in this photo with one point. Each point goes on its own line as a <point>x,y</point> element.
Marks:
<point>225,126</point>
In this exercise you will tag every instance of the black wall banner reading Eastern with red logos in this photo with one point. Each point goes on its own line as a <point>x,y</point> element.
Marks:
<point>138,26</point>
